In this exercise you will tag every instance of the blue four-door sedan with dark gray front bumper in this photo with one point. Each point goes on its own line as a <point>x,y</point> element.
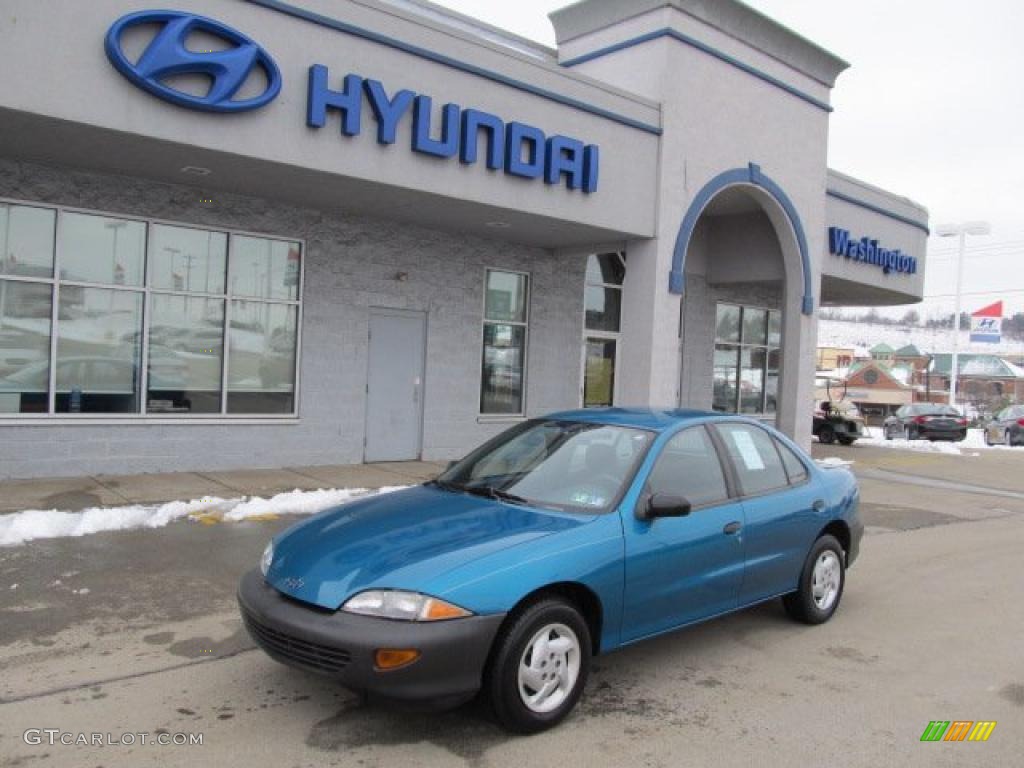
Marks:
<point>566,537</point>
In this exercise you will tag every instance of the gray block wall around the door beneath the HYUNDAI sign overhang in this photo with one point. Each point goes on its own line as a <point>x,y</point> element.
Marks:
<point>351,266</point>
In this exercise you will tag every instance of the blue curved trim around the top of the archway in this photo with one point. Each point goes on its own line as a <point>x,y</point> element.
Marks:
<point>750,176</point>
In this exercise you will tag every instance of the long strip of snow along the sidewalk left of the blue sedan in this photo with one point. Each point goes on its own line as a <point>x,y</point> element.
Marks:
<point>24,527</point>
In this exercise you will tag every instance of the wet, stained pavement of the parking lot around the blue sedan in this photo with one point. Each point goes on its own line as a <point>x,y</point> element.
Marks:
<point>137,632</point>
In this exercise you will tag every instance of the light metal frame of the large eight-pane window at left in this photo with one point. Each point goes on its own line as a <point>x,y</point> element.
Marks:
<point>143,416</point>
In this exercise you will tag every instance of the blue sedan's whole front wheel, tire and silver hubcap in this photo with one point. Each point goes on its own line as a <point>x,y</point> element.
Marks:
<point>539,667</point>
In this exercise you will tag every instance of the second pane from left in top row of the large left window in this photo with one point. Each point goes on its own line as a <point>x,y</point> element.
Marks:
<point>100,249</point>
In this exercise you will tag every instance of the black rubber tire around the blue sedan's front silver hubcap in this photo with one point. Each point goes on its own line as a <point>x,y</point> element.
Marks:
<point>501,682</point>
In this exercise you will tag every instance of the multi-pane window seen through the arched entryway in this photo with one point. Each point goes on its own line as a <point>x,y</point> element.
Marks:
<point>747,360</point>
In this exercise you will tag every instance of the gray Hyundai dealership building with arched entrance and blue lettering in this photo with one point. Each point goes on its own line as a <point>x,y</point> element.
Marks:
<point>266,234</point>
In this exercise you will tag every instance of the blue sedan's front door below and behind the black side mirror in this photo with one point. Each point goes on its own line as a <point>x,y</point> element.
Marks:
<point>680,570</point>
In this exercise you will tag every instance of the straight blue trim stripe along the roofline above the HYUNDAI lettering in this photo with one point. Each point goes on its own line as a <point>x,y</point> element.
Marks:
<point>349,29</point>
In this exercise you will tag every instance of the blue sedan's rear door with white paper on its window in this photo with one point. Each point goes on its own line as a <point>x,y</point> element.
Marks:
<point>780,499</point>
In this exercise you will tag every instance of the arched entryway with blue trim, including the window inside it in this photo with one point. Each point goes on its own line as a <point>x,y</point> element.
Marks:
<point>743,267</point>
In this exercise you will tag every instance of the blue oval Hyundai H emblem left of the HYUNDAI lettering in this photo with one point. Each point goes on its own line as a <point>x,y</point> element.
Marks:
<point>167,57</point>
